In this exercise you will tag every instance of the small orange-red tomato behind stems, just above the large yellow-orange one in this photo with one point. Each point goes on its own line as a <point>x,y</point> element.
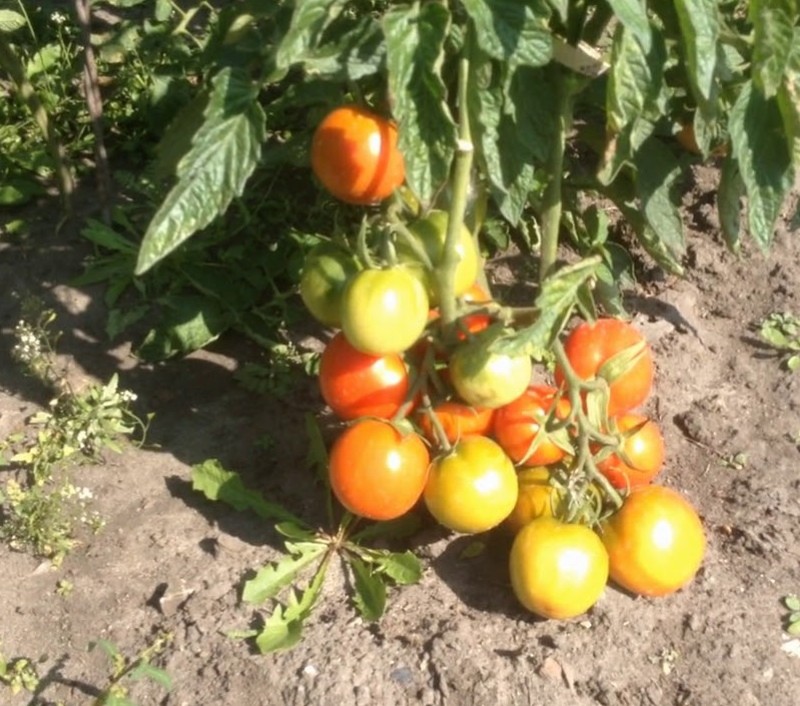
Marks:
<point>644,450</point>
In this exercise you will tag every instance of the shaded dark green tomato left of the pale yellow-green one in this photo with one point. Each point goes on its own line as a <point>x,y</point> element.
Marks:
<point>326,271</point>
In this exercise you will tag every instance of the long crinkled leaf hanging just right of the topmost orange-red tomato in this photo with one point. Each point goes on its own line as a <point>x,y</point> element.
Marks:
<point>415,37</point>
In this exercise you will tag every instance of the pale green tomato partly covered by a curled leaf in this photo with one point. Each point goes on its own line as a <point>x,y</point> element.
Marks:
<point>483,378</point>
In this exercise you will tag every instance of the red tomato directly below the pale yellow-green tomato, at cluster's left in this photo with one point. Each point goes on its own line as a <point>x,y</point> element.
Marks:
<point>354,384</point>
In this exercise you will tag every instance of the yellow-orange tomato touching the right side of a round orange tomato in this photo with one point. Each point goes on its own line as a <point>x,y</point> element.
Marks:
<point>473,488</point>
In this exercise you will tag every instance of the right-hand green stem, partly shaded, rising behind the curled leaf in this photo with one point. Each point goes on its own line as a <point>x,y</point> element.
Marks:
<point>552,200</point>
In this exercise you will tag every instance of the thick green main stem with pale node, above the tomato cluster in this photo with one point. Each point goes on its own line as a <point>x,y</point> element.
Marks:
<point>462,165</point>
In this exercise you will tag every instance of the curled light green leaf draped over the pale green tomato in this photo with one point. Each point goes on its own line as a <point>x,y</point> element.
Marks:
<point>555,302</point>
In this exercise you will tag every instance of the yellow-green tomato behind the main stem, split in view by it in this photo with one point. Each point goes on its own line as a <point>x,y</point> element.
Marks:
<point>430,233</point>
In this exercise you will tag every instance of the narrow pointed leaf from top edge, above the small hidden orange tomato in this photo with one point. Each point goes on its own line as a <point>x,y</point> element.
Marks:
<point>699,22</point>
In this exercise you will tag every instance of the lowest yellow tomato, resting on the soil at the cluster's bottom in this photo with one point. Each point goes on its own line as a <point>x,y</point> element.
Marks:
<point>557,570</point>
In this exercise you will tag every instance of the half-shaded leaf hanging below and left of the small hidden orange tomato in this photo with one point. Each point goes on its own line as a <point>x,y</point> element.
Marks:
<point>657,174</point>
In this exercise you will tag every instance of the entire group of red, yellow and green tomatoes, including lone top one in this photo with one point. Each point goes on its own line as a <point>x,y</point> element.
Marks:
<point>440,416</point>
